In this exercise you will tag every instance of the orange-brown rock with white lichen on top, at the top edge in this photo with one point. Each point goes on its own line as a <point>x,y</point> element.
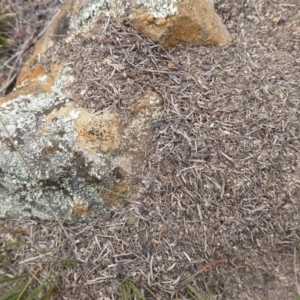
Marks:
<point>170,22</point>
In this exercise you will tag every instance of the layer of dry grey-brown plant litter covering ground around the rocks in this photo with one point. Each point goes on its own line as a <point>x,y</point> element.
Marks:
<point>218,203</point>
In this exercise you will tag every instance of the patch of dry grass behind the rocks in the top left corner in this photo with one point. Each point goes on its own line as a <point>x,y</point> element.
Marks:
<point>22,23</point>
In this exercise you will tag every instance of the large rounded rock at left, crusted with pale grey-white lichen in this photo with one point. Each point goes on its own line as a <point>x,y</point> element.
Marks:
<point>81,161</point>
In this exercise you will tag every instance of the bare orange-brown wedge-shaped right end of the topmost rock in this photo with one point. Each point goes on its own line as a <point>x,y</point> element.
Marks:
<point>195,22</point>
